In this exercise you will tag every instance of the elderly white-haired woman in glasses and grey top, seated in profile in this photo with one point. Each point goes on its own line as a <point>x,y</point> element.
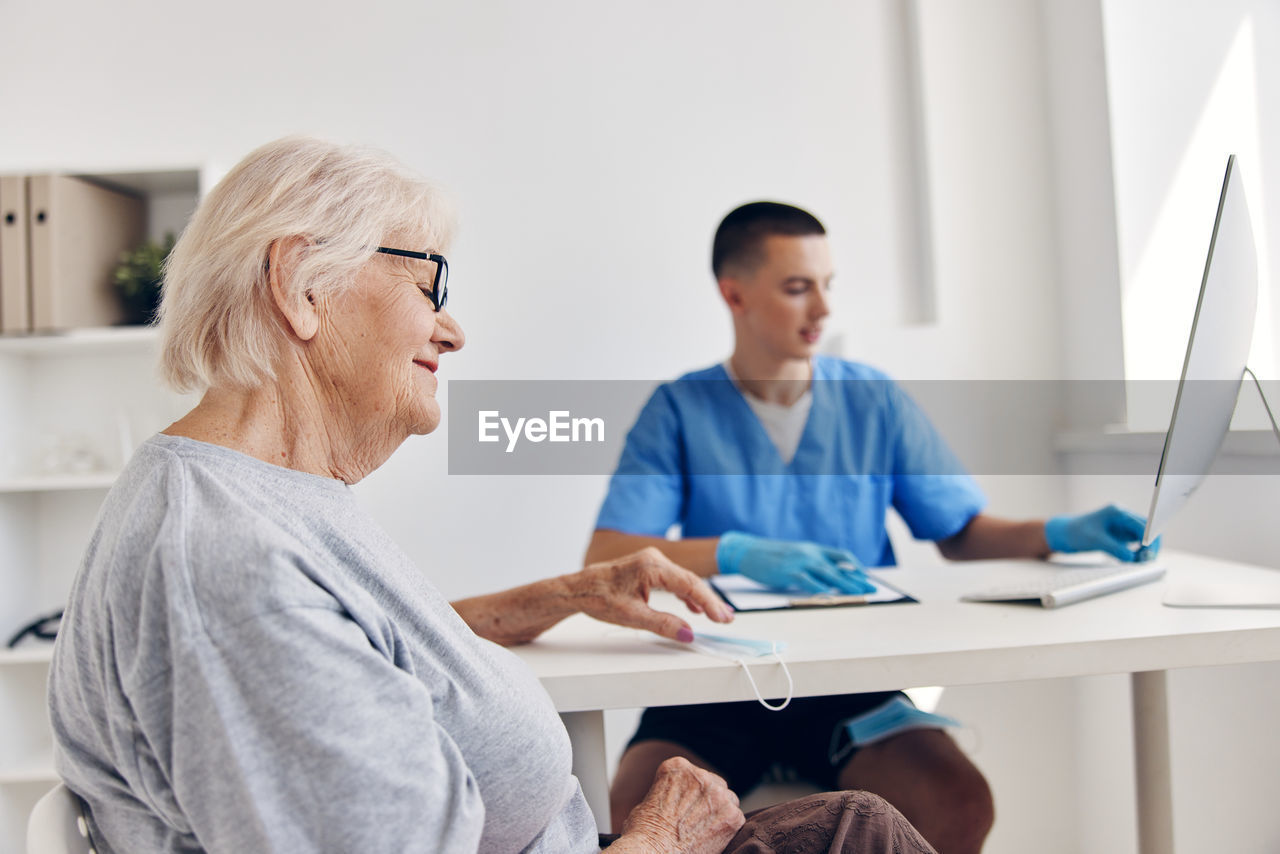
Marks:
<point>249,664</point>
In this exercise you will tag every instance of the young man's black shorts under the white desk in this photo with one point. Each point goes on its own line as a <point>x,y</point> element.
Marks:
<point>746,742</point>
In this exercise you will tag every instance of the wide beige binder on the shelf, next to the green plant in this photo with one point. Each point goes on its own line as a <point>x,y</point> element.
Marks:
<point>77,231</point>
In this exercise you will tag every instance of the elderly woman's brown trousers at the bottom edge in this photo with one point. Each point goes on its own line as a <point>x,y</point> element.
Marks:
<point>834,823</point>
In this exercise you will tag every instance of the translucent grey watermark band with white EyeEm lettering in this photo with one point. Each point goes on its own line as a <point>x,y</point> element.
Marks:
<point>991,427</point>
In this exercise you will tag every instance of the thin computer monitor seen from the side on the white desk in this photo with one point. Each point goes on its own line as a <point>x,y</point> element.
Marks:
<point>1217,358</point>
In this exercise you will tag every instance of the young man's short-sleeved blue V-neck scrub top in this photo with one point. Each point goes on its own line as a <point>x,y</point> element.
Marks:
<point>700,458</point>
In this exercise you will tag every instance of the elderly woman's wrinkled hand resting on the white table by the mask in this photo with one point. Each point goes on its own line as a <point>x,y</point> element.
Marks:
<point>619,592</point>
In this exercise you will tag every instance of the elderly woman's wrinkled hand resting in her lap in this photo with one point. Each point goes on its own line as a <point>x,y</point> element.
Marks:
<point>688,811</point>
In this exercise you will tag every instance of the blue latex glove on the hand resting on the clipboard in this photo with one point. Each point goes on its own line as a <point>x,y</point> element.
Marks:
<point>792,567</point>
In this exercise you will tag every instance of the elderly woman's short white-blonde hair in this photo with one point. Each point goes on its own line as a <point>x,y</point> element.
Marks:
<point>218,319</point>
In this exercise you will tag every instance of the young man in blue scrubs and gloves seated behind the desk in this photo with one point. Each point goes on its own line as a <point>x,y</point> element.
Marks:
<point>781,465</point>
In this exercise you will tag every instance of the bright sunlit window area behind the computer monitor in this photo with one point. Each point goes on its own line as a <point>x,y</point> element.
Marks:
<point>1185,95</point>
